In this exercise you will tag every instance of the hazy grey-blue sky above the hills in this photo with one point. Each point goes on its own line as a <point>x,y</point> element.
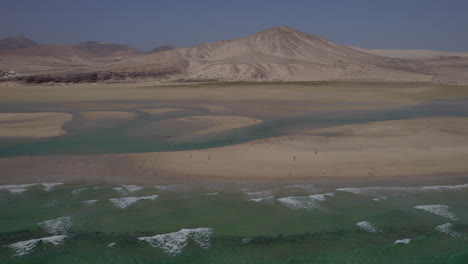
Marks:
<point>145,24</point>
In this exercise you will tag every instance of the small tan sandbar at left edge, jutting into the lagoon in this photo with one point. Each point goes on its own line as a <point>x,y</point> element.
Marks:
<point>32,125</point>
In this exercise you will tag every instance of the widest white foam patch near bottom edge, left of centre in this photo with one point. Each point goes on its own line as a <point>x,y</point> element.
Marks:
<point>173,243</point>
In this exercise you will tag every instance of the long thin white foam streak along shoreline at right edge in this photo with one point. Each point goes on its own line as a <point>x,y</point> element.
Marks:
<point>378,190</point>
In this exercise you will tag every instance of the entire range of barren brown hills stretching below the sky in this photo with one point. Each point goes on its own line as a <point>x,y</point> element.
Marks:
<point>276,54</point>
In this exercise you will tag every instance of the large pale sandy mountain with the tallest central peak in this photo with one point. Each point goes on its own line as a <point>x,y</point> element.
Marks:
<point>281,53</point>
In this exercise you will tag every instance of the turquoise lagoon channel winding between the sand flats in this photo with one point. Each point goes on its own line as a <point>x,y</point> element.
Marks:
<point>141,135</point>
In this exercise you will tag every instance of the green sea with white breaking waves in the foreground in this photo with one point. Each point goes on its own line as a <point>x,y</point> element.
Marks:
<point>302,223</point>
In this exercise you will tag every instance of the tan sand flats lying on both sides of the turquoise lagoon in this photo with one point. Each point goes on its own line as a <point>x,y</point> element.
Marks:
<point>416,148</point>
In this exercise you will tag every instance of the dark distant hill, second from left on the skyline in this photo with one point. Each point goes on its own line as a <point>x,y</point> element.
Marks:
<point>102,49</point>
